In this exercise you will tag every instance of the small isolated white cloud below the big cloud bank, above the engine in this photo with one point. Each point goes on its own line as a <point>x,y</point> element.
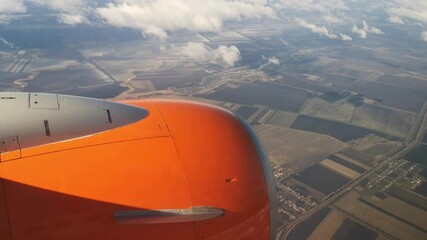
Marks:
<point>221,55</point>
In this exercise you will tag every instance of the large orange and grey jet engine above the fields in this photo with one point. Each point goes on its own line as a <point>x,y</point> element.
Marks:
<point>81,168</point>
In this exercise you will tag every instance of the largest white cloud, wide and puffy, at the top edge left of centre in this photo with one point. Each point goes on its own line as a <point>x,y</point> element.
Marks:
<point>161,16</point>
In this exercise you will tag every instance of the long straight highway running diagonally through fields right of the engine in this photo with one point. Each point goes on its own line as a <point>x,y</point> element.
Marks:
<point>414,140</point>
